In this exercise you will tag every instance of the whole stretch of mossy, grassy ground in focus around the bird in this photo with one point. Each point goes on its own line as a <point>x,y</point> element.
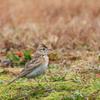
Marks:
<point>75,79</point>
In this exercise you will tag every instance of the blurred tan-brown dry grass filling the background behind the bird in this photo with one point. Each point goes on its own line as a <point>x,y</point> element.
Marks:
<point>66,24</point>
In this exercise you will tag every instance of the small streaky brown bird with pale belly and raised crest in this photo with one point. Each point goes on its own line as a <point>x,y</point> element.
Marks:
<point>37,65</point>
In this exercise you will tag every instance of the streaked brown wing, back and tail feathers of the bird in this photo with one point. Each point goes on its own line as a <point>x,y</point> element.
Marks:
<point>33,64</point>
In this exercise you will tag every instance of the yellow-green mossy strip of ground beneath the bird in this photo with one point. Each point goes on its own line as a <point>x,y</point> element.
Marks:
<point>54,87</point>
